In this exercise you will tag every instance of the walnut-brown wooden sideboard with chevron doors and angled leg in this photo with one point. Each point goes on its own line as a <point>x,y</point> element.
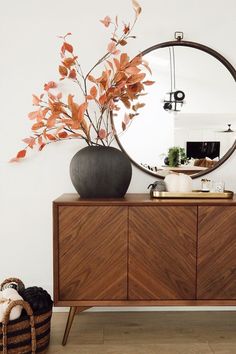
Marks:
<point>137,251</point>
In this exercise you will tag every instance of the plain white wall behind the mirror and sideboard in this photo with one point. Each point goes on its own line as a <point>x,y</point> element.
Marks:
<point>29,57</point>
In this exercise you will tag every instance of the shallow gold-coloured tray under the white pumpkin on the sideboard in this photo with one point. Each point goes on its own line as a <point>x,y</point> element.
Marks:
<point>194,194</point>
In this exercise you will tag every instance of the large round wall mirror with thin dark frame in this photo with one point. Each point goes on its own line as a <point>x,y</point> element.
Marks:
<point>188,123</point>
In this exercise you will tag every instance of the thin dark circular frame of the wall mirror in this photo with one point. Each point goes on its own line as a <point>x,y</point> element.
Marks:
<point>228,66</point>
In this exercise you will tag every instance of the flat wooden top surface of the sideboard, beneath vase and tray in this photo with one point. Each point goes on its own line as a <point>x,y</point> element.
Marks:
<point>139,199</point>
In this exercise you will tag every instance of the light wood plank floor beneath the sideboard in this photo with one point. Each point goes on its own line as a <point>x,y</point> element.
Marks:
<point>146,333</point>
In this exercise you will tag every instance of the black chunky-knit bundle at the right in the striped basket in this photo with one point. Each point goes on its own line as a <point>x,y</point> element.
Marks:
<point>38,298</point>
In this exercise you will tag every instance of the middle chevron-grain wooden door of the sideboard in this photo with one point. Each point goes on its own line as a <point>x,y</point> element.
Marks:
<point>162,252</point>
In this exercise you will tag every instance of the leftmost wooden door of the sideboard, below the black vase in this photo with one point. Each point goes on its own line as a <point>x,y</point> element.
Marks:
<point>92,253</point>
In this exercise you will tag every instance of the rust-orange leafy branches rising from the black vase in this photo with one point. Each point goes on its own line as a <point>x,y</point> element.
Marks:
<point>58,118</point>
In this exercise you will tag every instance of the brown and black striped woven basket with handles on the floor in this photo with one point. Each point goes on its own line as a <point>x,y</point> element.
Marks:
<point>28,334</point>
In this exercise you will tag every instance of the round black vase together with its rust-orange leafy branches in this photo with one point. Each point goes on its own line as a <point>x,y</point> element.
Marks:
<point>98,170</point>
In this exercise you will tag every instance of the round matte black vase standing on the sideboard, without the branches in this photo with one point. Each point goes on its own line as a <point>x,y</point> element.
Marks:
<point>100,172</point>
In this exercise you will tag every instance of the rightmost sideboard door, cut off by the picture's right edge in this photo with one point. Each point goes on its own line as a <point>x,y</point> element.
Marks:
<point>217,252</point>
